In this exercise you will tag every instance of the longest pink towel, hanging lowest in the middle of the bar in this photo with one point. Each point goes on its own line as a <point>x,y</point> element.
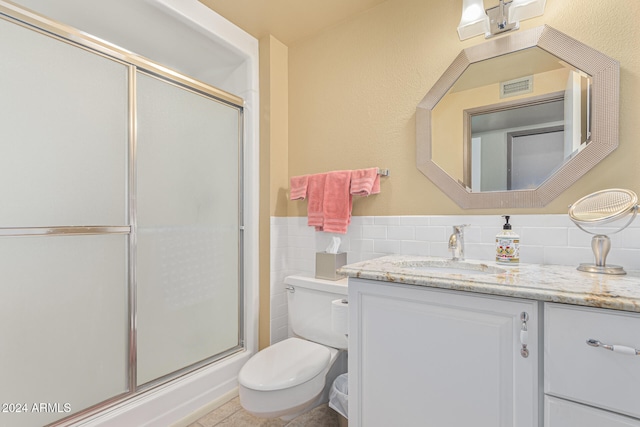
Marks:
<point>337,202</point>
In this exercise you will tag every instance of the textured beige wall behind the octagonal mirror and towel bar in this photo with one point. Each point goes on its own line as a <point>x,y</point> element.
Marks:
<point>353,90</point>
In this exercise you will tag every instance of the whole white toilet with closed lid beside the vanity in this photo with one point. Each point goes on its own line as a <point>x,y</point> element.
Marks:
<point>295,375</point>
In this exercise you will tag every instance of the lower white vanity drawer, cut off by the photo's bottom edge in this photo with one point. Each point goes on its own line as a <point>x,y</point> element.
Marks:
<point>561,413</point>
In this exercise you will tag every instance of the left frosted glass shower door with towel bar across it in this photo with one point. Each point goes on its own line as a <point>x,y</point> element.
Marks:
<point>64,319</point>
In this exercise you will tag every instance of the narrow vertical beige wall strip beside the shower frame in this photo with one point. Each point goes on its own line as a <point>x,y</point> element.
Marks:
<point>274,119</point>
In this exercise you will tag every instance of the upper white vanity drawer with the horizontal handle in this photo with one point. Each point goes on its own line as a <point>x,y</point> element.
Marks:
<point>592,375</point>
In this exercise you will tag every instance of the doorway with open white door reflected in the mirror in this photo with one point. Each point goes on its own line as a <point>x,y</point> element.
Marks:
<point>517,147</point>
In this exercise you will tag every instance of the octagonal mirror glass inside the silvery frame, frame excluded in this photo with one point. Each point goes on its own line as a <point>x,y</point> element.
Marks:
<point>523,115</point>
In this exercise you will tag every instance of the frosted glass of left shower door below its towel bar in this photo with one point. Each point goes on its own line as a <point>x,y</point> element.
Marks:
<point>63,323</point>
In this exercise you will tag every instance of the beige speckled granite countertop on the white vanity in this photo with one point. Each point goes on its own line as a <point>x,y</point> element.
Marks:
<point>555,283</point>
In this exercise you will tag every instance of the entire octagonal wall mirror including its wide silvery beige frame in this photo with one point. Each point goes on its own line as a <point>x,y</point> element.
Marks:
<point>515,121</point>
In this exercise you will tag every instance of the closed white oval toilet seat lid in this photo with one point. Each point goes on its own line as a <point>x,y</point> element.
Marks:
<point>285,364</point>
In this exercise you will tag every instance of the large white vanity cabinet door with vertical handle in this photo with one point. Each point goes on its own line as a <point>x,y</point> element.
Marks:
<point>426,357</point>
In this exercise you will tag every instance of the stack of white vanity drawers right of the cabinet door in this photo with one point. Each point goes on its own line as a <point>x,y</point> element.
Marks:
<point>585,385</point>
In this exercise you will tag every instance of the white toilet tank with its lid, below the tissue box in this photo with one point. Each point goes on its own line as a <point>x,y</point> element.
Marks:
<point>309,301</point>
